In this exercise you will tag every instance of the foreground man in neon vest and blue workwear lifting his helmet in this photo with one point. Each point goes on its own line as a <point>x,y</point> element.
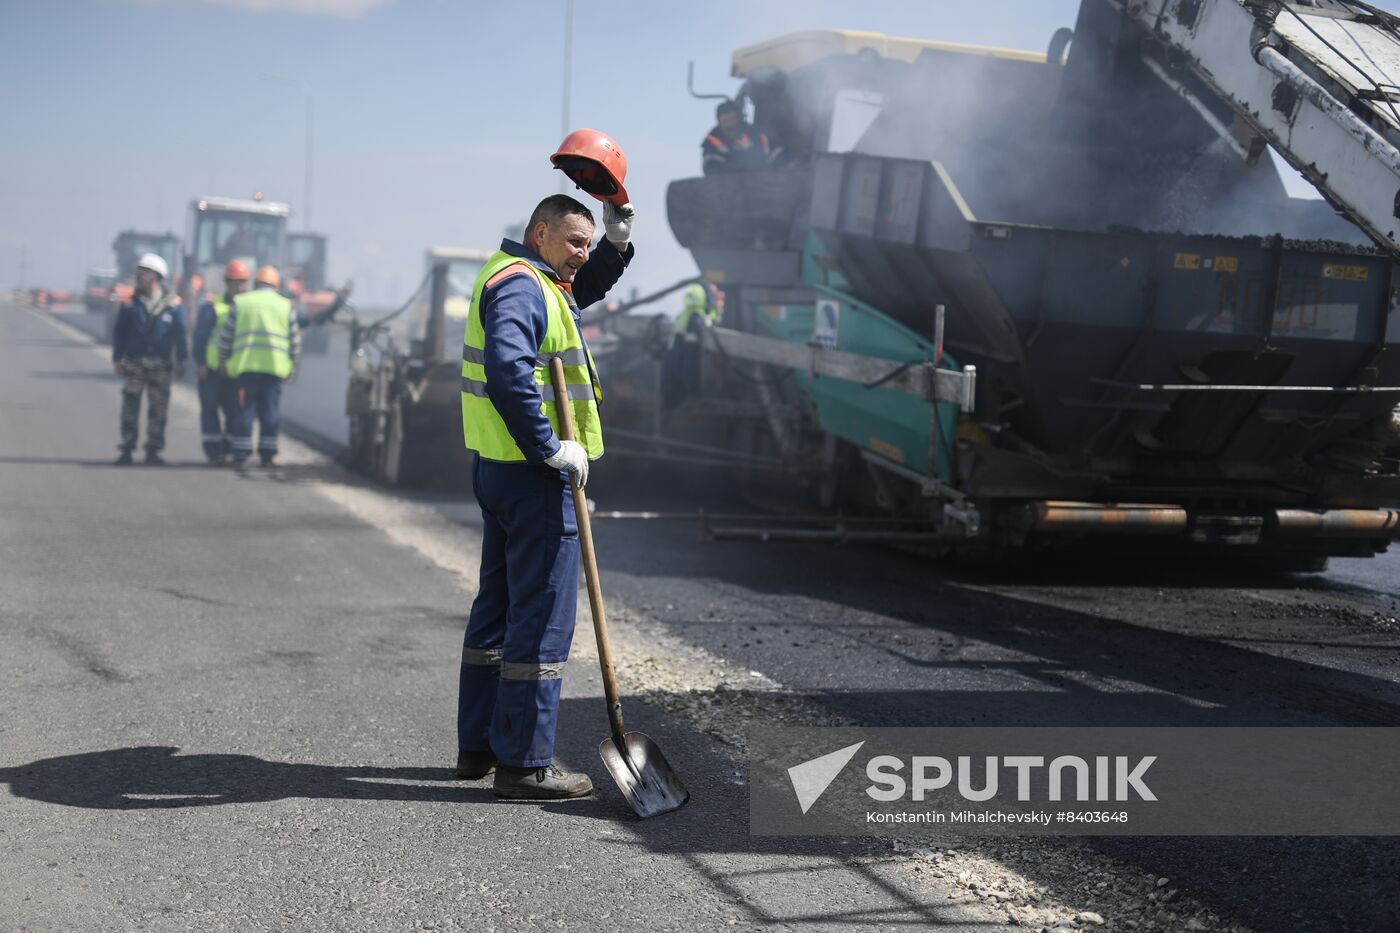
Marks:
<point>524,310</point>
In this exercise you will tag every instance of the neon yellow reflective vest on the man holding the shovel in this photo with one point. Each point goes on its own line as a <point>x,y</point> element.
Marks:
<point>482,425</point>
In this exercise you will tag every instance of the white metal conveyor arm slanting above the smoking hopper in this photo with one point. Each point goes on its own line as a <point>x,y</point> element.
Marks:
<point>1318,81</point>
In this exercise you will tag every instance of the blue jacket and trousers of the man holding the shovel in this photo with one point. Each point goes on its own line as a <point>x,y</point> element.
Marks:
<point>523,618</point>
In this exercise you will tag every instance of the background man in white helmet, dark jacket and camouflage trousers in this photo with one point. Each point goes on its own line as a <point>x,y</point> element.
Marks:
<point>148,336</point>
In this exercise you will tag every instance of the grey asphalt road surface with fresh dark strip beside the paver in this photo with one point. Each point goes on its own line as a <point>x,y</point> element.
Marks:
<point>232,701</point>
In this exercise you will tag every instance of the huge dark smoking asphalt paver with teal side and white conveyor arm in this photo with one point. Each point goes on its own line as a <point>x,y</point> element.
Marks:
<point>1158,344</point>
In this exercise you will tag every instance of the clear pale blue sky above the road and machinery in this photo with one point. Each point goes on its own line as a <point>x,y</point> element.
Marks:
<point>433,118</point>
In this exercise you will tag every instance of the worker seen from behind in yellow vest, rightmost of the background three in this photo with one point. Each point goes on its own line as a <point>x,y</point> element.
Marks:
<point>258,350</point>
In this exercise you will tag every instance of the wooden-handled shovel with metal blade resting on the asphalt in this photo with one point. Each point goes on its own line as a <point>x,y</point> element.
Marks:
<point>640,770</point>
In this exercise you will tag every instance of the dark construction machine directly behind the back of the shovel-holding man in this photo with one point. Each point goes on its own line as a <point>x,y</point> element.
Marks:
<point>405,379</point>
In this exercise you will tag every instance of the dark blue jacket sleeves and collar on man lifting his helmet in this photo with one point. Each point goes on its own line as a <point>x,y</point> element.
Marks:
<point>516,320</point>
